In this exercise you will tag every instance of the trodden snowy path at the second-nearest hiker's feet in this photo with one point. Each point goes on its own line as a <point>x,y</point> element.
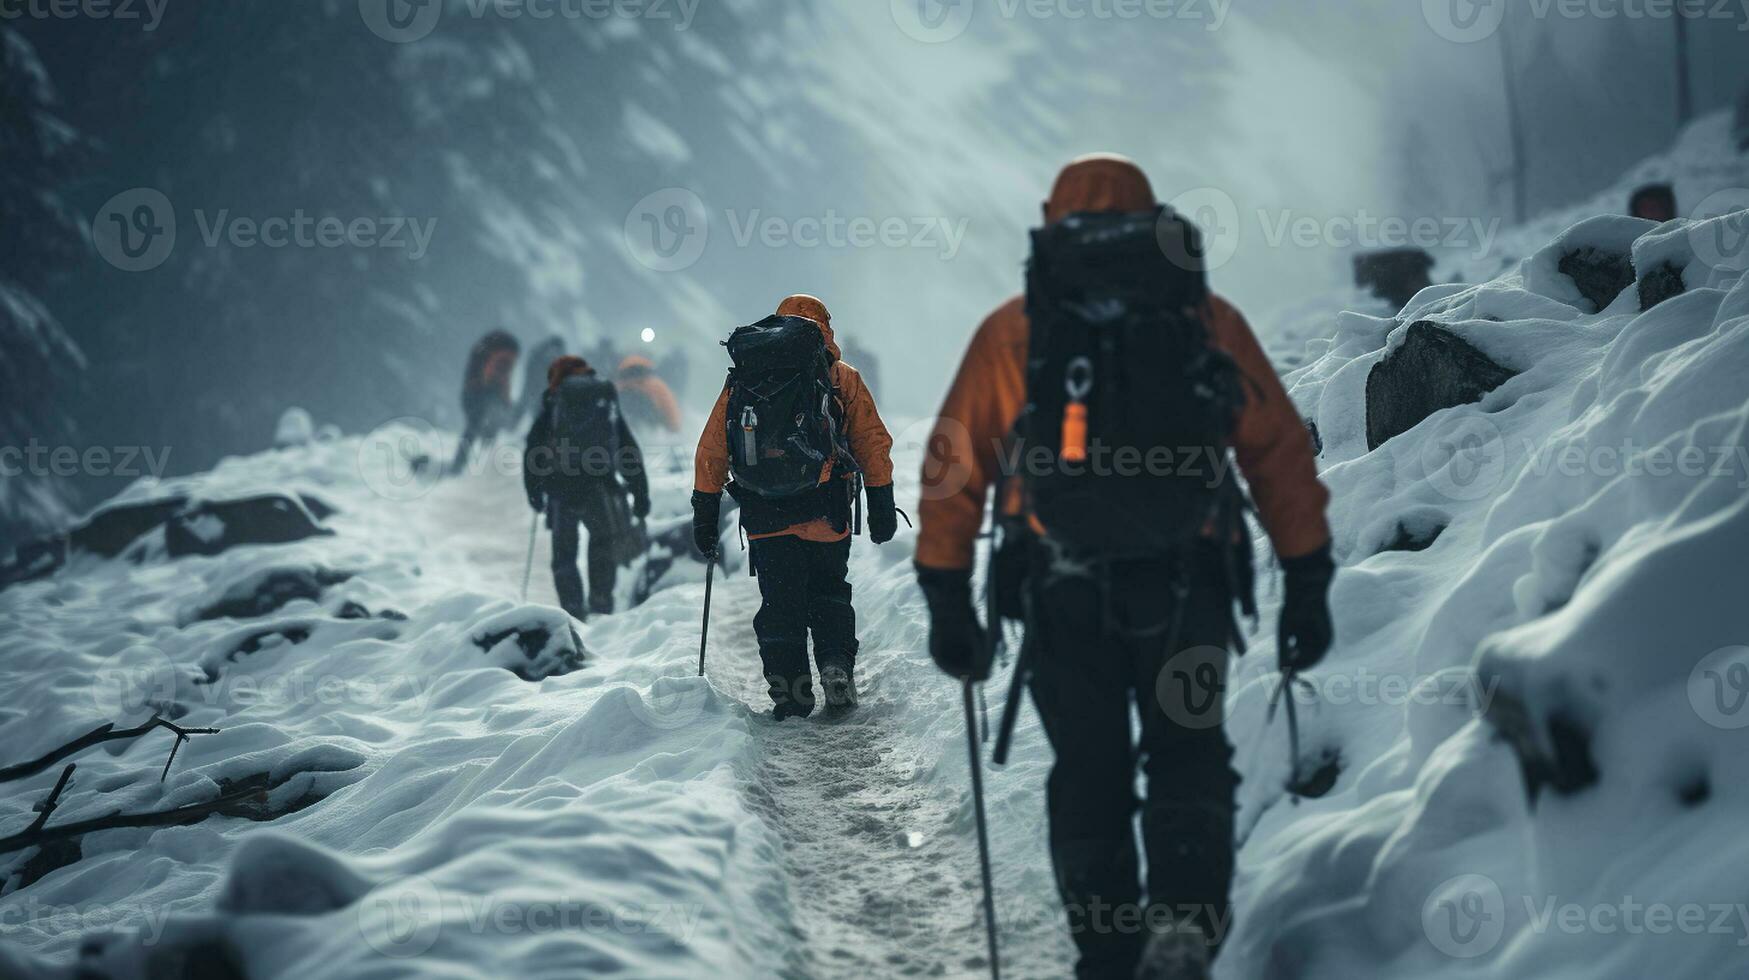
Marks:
<point>877,888</point>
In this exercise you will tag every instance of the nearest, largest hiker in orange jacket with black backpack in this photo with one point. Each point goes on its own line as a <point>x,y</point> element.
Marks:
<point>1124,549</point>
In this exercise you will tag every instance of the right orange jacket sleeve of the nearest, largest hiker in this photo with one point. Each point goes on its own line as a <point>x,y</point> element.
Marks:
<point>1272,445</point>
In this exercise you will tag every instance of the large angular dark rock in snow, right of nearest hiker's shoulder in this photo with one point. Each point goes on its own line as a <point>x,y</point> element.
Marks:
<point>1432,372</point>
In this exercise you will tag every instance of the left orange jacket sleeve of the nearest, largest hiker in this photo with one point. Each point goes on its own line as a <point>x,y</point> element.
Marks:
<point>963,456</point>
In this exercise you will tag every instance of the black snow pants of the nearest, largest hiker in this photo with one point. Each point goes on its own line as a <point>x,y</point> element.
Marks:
<point>1101,643</point>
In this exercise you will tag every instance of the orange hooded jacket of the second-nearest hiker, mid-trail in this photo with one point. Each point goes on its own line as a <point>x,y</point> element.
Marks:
<point>870,442</point>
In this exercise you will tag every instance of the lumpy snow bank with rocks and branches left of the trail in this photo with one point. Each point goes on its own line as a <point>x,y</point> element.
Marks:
<point>457,781</point>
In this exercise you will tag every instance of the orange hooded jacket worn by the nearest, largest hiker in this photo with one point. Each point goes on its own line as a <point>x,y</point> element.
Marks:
<point>991,391</point>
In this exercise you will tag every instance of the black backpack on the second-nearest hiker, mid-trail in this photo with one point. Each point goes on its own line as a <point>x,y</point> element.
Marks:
<point>784,419</point>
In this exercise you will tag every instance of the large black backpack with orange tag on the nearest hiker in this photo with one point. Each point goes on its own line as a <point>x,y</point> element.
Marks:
<point>1124,386</point>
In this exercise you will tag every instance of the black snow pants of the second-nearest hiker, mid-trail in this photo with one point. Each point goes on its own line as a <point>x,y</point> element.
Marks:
<point>805,589</point>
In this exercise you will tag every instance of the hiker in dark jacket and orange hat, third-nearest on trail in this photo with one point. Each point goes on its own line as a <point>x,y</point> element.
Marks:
<point>578,468</point>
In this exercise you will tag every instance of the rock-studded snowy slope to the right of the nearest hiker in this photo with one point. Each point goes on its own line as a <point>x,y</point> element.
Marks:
<point>1584,598</point>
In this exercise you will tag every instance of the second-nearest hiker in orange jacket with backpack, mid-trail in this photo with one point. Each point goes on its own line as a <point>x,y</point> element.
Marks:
<point>798,435</point>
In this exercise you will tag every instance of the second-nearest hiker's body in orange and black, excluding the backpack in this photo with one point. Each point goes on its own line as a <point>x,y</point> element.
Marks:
<point>802,549</point>
